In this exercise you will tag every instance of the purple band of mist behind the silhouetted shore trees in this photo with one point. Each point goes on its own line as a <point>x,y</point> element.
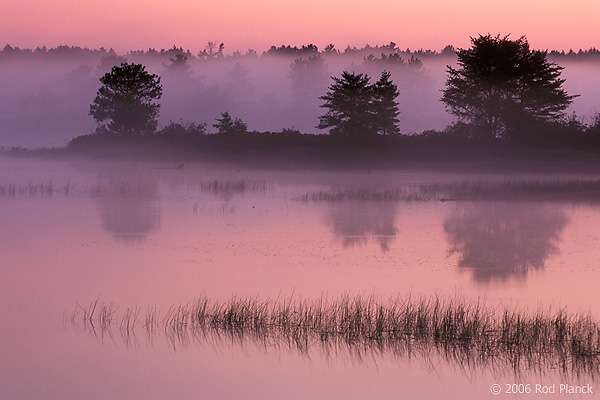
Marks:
<point>45,98</point>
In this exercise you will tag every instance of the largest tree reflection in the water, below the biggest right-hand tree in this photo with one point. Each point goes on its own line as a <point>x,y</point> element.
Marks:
<point>498,240</point>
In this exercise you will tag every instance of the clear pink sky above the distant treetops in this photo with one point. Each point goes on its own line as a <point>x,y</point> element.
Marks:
<point>241,24</point>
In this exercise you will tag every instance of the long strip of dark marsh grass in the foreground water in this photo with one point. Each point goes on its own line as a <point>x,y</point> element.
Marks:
<point>467,332</point>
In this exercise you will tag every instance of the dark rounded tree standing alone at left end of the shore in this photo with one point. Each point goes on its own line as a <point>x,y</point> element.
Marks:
<point>125,99</point>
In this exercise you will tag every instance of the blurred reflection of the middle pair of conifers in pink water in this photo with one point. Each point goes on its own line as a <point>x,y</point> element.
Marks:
<point>355,222</point>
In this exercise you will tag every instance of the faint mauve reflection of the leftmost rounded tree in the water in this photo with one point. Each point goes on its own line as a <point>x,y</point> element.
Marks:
<point>129,205</point>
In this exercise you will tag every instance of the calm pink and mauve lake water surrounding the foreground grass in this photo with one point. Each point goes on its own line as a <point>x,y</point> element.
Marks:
<point>144,235</point>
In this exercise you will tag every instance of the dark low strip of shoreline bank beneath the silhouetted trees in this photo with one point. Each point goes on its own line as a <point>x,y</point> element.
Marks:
<point>277,151</point>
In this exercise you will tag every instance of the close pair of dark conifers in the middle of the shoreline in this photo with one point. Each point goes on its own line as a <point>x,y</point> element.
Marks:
<point>358,108</point>
